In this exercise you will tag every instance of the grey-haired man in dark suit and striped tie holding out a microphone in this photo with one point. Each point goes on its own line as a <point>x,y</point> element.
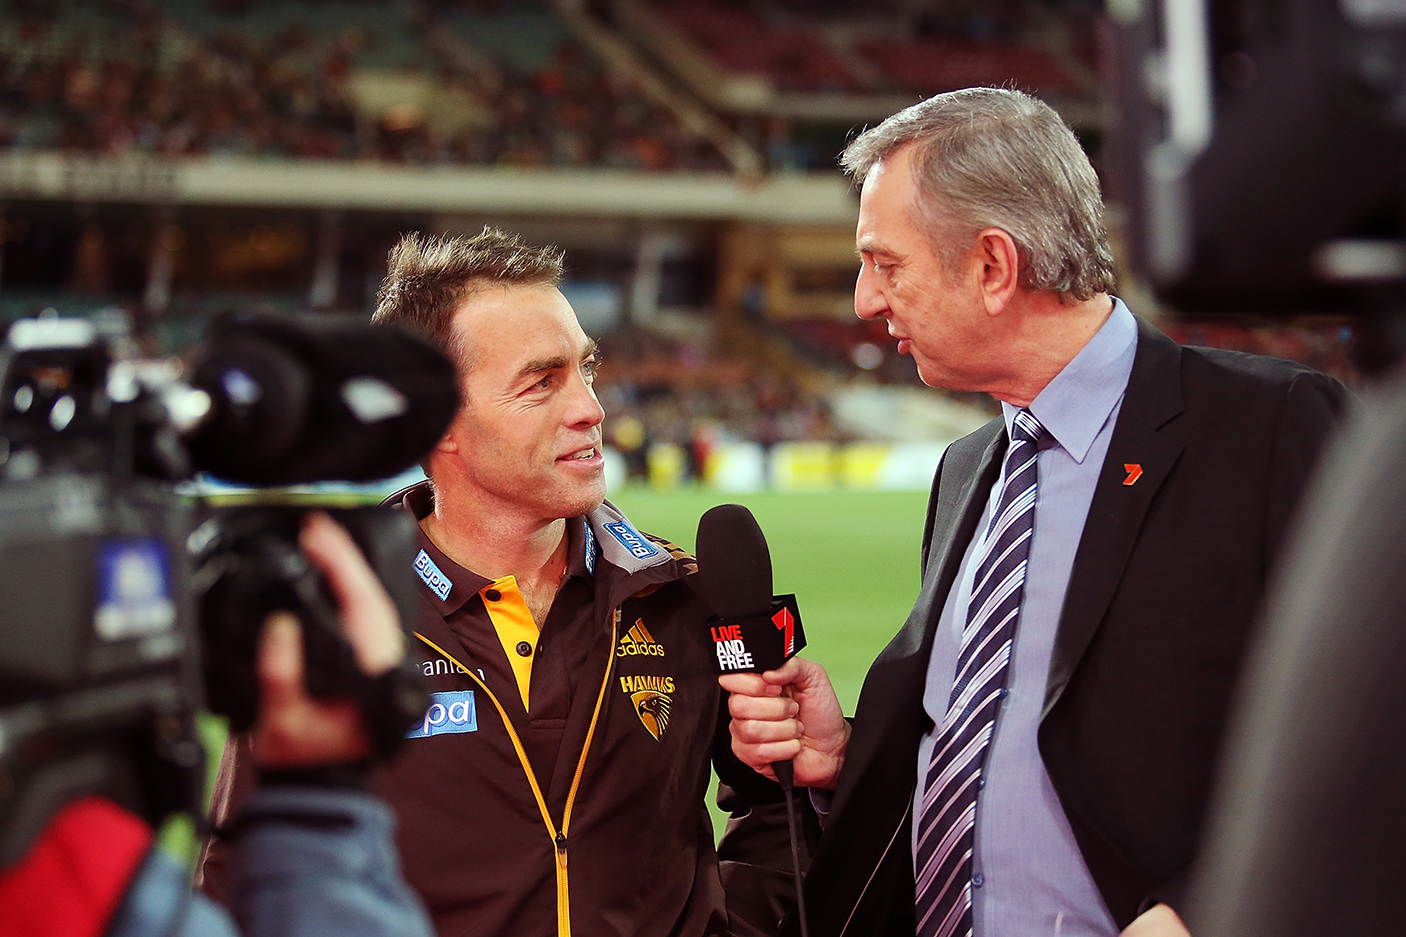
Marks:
<point>1033,752</point>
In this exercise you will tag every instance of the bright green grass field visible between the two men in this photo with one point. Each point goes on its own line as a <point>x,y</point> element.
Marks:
<point>851,558</point>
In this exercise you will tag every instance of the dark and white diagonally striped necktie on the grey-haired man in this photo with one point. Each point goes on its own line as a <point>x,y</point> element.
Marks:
<point>947,820</point>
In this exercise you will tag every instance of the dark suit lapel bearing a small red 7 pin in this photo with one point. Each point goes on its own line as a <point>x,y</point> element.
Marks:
<point>1144,442</point>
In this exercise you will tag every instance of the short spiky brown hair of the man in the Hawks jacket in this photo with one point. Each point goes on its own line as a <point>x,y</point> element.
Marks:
<point>430,279</point>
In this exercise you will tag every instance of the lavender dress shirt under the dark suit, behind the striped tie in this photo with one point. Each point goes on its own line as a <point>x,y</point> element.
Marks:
<point>1030,879</point>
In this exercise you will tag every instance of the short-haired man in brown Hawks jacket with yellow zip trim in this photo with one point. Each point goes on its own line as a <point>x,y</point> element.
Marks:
<point>557,782</point>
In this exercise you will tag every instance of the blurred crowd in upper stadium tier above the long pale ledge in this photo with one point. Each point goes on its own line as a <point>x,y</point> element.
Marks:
<point>483,82</point>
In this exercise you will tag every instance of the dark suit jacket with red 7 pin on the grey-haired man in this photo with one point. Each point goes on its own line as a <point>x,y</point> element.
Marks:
<point>1165,589</point>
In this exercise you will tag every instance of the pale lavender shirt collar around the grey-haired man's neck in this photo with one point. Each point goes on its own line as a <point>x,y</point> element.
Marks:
<point>1079,402</point>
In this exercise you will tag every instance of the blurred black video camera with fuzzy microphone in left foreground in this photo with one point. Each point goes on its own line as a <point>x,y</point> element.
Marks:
<point>119,617</point>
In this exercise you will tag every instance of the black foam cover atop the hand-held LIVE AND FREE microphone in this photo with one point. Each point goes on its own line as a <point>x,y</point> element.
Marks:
<point>735,565</point>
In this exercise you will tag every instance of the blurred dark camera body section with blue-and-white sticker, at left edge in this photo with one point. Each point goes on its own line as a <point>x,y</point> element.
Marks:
<point>102,675</point>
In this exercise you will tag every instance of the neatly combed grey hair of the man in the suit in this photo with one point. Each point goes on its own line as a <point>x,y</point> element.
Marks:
<point>998,158</point>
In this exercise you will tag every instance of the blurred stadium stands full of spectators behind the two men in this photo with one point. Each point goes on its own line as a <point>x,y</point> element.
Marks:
<point>515,95</point>
